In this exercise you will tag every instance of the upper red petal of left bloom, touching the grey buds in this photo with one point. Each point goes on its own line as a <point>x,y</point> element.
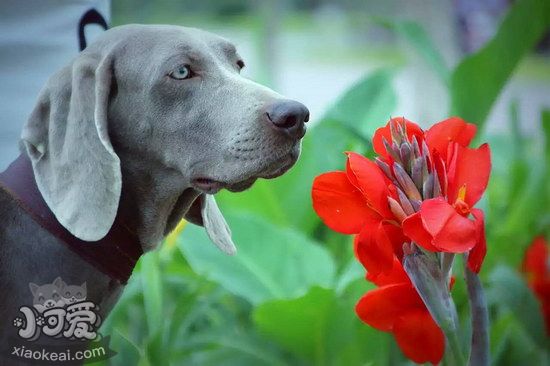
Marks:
<point>371,181</point>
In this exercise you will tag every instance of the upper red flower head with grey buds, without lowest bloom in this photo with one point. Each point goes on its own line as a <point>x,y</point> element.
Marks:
<point>422,188</point>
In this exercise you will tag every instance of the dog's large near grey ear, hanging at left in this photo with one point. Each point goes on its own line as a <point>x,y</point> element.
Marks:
<point>66,138</point>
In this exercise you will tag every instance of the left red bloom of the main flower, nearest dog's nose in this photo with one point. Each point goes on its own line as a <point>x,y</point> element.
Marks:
<point>356,202</point>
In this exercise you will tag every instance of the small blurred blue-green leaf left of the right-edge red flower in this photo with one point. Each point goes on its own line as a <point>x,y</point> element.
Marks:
<point>509,293</point>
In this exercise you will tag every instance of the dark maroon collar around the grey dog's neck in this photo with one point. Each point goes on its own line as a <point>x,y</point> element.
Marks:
<point>115,255</point>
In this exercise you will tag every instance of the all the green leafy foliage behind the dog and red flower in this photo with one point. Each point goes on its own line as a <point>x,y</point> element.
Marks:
<point>287,297</point>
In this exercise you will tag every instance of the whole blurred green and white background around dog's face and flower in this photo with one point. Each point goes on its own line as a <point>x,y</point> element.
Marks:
<point>288,296</point>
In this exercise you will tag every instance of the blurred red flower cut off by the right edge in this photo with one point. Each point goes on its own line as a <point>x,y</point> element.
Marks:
<point>536,265</point>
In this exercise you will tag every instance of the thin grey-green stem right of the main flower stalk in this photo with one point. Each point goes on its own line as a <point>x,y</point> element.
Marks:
<point>479,355</point>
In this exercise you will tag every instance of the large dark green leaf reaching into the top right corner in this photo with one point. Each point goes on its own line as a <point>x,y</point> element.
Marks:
<point>479,79</point>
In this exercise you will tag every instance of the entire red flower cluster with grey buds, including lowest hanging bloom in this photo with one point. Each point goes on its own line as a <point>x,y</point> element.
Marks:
<point>421,189</point>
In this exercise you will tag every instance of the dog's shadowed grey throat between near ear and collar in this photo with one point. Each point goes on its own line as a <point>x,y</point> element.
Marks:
<point>154,199</point>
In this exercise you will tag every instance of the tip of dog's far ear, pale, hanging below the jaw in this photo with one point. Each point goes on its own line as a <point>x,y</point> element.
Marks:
<point>205,212</point>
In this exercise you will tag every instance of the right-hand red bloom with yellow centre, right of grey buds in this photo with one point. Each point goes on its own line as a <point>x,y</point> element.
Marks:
<point>443,224</point>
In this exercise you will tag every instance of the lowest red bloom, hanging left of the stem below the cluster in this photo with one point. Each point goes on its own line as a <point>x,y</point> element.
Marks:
<point>396,307</point>
